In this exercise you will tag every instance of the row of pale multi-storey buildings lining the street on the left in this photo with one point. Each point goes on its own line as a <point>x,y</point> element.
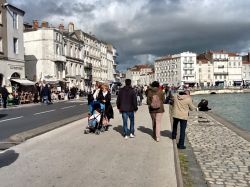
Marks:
<point>66,57</point>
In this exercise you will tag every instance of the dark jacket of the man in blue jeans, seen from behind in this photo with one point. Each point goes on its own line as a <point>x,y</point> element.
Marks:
<point>126,100</point>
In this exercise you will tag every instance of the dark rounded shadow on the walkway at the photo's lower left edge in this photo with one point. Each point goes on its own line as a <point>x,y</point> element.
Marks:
<point>8,158</point>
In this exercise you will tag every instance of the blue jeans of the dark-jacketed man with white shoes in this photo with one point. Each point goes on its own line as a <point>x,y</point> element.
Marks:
<point>131,116</point>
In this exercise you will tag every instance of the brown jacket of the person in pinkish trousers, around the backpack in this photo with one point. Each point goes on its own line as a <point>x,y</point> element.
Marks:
<point>155,91</point>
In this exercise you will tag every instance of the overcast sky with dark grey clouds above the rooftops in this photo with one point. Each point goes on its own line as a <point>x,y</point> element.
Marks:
<point>142,30</point>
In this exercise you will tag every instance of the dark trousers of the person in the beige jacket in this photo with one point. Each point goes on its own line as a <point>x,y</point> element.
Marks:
<point>183,126</point>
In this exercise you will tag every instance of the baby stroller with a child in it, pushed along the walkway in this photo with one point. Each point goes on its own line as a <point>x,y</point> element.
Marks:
<point>95,120</point>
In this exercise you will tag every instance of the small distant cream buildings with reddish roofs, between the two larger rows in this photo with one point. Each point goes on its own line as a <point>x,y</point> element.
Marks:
<point>139,74</point>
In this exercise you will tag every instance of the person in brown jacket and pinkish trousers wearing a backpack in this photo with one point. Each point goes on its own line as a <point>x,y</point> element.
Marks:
<point>155,100</point>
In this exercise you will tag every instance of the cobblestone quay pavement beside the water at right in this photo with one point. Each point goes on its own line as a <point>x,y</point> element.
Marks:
<point>223,155</point>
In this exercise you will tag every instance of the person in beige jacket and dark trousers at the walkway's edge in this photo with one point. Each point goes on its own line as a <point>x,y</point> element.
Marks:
<point>181,106</point>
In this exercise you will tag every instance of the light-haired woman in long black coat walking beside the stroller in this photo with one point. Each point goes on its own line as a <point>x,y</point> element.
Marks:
<point>104,97</point>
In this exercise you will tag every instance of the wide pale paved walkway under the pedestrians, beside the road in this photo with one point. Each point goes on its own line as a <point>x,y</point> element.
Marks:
<point>68,157</point>
